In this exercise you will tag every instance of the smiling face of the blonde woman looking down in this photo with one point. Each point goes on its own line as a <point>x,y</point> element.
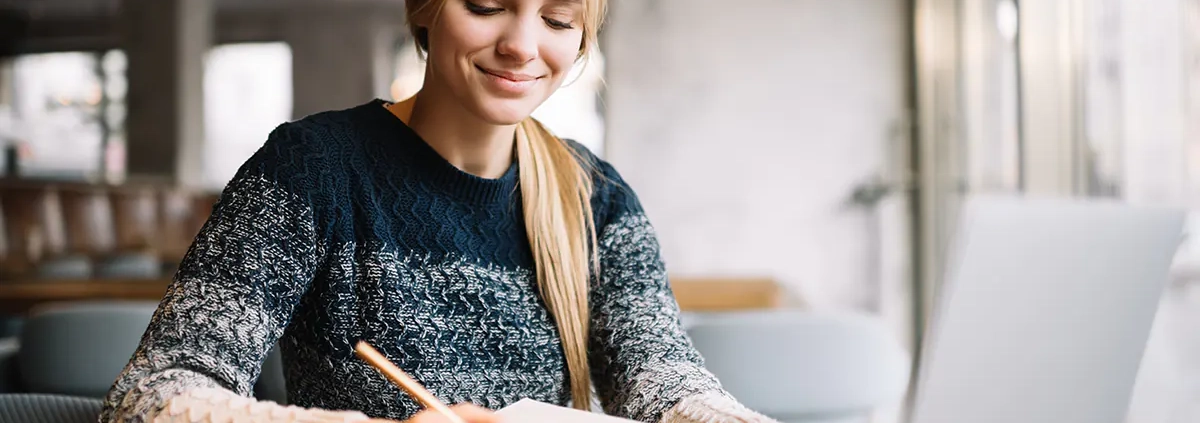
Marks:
<point>501,59</point>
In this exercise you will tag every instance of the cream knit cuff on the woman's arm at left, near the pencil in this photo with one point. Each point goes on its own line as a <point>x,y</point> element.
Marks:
<point>213,406</point>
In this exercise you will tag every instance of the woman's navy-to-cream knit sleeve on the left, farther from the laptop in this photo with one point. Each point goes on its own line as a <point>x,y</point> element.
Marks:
<point>232,297</point>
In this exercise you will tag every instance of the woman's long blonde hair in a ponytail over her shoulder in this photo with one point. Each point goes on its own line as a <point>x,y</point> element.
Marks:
<point>556,190</point>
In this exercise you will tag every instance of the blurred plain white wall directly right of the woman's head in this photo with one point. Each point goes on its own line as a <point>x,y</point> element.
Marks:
<point>745,128</point>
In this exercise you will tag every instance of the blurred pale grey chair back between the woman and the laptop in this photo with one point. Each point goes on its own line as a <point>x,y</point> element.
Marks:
<point>801,367</point>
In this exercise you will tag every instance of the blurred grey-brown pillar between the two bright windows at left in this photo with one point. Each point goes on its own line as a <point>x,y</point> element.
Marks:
<point>166,43</point>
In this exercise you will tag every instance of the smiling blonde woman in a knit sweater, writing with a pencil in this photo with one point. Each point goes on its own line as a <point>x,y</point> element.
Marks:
<point>488,258</point>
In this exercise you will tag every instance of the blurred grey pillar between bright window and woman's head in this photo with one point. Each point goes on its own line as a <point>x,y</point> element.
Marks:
<point>343,57</point>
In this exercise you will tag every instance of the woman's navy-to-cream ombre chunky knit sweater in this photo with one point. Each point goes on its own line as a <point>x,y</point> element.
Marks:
<point>347,227</point>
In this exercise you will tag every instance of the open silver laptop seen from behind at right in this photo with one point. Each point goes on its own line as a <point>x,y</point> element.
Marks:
<point>1046,312</point>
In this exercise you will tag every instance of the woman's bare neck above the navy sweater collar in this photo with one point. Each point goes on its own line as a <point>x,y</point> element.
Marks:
<point>461,139</point>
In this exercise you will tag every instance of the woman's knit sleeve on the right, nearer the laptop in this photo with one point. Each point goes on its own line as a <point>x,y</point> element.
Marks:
<point>644,365</point>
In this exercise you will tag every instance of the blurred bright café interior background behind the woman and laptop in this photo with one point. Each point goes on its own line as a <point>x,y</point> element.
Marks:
<point>807,156</point>
